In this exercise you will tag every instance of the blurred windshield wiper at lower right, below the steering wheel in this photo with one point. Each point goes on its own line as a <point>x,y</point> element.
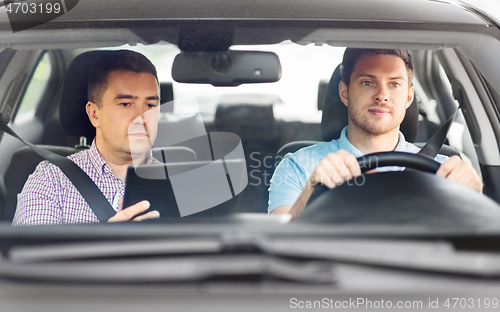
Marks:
<point>437,257</point>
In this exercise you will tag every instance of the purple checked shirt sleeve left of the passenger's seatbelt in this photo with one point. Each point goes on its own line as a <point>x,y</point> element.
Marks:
<point>37,203</point>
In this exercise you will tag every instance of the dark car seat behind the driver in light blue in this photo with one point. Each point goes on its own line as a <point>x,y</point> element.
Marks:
<point>334,119</point>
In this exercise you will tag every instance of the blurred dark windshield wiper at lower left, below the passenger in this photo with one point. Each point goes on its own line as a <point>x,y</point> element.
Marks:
<point>146,261</point>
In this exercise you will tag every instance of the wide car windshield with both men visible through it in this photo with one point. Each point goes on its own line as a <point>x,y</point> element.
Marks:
<point>310,124</point>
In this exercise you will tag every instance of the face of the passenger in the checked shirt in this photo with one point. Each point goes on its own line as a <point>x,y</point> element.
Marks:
<point>126,122</point>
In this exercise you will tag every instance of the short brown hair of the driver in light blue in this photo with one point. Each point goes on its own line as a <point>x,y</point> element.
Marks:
<point>352,55</point>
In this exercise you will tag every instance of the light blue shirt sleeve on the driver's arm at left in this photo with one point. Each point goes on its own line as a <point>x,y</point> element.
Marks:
<point>287,183</point>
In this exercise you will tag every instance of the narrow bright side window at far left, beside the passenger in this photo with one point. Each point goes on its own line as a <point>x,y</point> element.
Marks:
<point>27,105</point>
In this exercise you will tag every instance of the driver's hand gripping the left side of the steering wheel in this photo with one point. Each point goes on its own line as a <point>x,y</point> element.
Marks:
<point>335,169</point>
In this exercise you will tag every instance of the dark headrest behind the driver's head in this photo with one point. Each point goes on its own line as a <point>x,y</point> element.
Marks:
<point>335,113</point>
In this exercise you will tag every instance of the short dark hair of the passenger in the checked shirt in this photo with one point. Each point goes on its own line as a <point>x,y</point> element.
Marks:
<point>121,60</point>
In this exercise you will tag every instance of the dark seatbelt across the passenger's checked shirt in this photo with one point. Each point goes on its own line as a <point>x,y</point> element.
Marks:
<point>87,188</point>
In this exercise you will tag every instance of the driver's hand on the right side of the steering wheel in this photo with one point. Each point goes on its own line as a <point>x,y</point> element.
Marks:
<point>460,171</point>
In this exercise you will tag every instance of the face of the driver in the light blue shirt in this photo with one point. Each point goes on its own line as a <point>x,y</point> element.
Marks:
<point>378,94</point>
